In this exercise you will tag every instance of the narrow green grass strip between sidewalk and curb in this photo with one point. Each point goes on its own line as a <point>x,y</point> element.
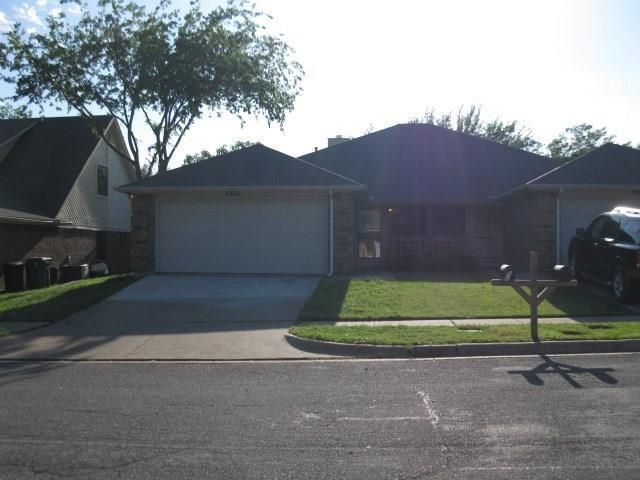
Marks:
<point>405,335</point>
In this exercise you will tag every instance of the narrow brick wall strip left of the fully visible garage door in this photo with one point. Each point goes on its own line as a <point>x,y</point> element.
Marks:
<point>143,216</point>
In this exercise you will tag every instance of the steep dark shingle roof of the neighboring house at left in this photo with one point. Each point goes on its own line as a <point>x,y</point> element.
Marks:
<point>42,166</point>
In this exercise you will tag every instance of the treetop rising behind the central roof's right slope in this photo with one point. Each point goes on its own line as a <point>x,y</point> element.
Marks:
<point>469,120</point>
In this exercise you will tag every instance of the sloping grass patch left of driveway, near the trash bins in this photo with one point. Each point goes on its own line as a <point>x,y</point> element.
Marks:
<point>59,301</point>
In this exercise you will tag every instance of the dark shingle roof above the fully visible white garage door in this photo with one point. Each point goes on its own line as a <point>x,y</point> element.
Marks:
<point>255,166</point>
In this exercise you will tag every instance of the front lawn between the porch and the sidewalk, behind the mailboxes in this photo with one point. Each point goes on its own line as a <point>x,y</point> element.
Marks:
<point>376,298</point>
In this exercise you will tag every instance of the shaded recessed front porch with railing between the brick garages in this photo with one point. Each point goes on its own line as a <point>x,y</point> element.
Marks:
<point>428,237</point>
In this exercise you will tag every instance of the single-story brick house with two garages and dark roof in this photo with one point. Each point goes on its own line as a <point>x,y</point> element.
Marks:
<point>412,196</point>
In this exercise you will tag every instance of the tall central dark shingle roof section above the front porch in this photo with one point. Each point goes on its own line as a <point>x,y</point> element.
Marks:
<point>425,163</point>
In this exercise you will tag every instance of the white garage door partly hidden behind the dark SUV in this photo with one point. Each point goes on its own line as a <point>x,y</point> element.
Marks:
<point>579,212</point>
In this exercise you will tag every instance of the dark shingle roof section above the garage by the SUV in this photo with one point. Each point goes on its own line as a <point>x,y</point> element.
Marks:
<point>609,165</point>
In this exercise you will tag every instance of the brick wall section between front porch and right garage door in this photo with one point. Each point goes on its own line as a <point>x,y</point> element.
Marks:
<point>530,224</point>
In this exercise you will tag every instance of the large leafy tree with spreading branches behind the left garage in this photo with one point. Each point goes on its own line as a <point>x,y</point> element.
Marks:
<point>159,67</point>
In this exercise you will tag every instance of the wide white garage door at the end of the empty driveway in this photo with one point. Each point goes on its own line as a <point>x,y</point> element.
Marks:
<point>242,236</point>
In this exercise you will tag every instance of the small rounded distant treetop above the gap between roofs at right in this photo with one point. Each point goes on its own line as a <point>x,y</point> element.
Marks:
<point>578,140</point>
